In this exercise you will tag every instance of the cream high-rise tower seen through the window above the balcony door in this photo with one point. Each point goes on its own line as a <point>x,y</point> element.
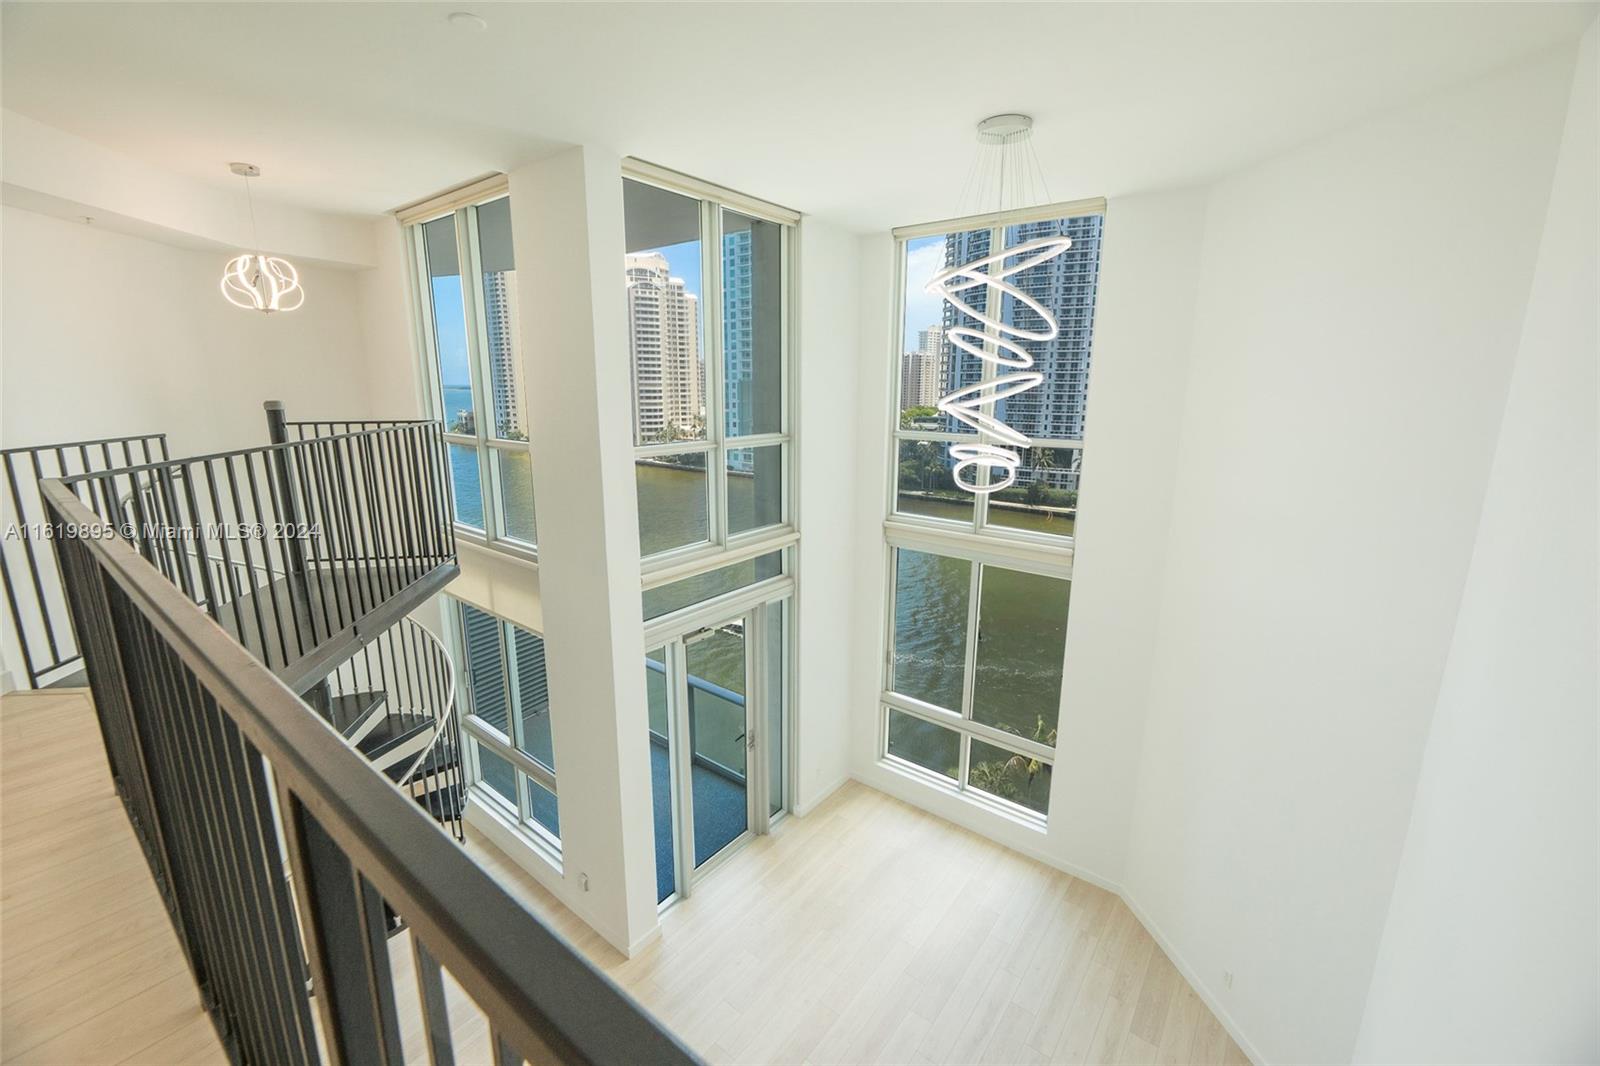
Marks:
<point>663,335</point>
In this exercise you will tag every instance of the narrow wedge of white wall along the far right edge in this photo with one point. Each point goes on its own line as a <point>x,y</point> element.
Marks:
<point>1489,955</point>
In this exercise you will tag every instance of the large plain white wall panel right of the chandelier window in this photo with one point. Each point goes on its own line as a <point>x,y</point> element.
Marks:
<point>1359,308</point>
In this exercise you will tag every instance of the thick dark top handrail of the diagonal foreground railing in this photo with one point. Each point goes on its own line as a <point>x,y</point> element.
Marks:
<point>537,990</point>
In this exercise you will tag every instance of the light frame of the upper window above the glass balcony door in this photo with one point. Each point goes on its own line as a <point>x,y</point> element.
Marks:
<point>722,548</point>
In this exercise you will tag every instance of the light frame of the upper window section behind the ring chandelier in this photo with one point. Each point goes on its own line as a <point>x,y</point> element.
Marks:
<point>980,524</point>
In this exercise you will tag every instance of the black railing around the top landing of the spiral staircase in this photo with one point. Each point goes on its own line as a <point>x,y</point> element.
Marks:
<point>303,551</point>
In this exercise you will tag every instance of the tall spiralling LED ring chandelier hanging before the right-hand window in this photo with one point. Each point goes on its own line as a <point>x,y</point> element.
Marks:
<point>1007,153</point>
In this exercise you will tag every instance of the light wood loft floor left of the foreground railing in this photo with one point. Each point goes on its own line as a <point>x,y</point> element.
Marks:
<point>90,969</point>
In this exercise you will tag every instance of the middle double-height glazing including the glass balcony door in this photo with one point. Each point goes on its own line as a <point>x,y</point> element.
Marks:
<point>708,278</point>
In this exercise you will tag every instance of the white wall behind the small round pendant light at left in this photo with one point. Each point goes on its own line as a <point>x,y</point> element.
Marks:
<point>108,335</point>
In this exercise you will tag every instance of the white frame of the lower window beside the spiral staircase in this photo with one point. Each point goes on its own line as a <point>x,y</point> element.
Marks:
<point>479,732</point>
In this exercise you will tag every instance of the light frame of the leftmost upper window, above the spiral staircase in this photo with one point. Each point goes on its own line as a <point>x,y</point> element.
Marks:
<point>462,206</point>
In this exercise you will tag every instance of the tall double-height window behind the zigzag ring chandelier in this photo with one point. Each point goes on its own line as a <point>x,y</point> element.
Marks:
<point>982,583</point>
